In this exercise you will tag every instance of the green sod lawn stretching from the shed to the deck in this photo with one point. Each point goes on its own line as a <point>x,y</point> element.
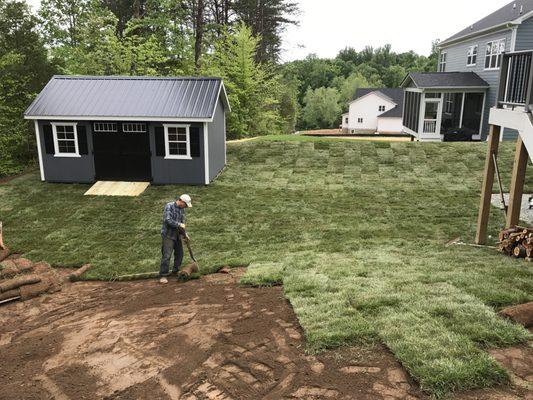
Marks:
<point>354,230</point>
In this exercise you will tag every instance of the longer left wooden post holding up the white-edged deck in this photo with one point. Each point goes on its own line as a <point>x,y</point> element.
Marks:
<point>488,182</point>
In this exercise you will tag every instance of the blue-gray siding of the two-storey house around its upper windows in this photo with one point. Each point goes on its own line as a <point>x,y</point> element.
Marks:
<point>456,62</point>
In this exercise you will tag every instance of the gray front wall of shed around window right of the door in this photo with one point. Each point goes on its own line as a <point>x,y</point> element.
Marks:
<point>183,172</point>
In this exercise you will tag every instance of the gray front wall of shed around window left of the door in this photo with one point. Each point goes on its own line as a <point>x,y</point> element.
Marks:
<point>67,169</point>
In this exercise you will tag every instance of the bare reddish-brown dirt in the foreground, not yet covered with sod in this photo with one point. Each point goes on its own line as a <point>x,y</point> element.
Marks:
<point>204,339</point>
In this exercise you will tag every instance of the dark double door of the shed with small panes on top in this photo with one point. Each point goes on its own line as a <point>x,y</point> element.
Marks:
<point>123,154</point>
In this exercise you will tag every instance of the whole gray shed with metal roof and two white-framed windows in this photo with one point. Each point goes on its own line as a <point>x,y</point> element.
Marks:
<point>158,130</point>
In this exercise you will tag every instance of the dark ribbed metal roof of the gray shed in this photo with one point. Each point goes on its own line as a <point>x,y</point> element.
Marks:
<point>128,97</point>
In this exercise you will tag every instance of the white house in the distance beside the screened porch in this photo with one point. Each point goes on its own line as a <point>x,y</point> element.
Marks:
<point>374,111</point>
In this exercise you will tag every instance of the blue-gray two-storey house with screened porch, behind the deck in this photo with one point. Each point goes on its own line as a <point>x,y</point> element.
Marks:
<point>446,105</point>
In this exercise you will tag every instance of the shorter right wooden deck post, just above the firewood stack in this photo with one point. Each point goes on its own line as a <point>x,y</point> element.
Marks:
<point>517,184</point>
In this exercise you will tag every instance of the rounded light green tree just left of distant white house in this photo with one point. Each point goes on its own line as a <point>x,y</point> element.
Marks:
<point>322,109</point>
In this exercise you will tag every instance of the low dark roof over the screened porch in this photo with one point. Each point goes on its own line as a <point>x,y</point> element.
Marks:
<point>442,80</point>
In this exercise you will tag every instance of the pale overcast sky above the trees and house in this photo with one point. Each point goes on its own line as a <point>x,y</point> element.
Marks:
<point>328,26</point>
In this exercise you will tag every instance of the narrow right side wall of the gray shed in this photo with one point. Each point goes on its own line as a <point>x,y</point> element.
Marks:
<point>217,138</point>
